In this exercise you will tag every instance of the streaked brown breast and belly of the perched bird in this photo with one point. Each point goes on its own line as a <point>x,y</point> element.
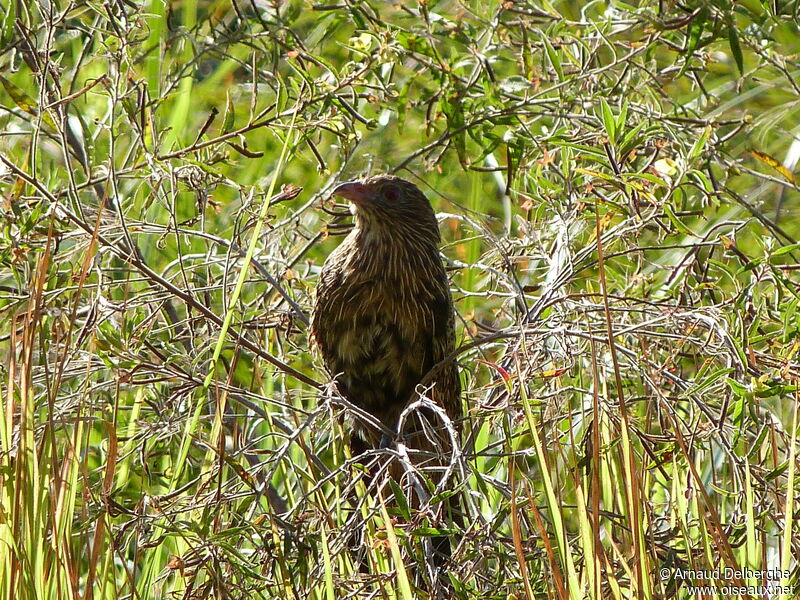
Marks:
<point>380,318</point>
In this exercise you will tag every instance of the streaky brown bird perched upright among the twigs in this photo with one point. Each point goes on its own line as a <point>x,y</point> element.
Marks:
<point>383,316</point>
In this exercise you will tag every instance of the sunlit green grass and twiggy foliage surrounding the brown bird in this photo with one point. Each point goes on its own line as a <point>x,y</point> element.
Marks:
<point>617,199</point>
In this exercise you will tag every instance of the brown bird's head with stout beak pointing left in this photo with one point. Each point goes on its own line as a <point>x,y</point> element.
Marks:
<point>387,205</point>
